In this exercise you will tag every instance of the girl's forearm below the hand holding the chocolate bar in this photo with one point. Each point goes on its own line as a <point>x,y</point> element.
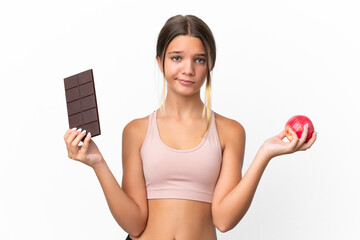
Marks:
<point>125,211</point>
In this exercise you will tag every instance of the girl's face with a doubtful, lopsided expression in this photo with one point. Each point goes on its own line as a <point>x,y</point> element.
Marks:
<point>185,65</point>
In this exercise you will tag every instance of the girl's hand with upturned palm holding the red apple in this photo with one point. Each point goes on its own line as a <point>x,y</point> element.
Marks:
<point>275,146</point>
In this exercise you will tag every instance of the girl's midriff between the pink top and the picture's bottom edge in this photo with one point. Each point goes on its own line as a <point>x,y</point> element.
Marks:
<point>178,219</point>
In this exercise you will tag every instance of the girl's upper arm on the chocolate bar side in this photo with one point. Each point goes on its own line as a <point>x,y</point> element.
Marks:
<point>133,182</point>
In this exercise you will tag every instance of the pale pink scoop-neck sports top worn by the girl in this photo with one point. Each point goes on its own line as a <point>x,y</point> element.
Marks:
<point>183,174</point>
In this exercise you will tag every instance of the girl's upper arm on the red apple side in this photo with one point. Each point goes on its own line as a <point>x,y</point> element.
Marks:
<point>232,134</point>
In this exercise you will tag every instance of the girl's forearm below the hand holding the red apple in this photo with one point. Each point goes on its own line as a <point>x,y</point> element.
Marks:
<point>235,204</point>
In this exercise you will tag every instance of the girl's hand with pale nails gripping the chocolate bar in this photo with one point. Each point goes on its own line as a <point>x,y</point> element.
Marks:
<point>88,153</point>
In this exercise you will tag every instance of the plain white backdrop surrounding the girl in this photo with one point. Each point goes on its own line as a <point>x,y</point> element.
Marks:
<point>275,59</point>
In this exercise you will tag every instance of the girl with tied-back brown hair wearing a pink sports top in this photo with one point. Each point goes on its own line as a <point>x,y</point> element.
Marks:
<point>182,163</point>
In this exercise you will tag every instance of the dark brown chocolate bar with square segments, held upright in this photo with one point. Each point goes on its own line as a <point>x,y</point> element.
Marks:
<point>81,102</point>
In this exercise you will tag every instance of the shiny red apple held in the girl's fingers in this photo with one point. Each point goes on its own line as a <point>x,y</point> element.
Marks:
<point>296,123</point>
